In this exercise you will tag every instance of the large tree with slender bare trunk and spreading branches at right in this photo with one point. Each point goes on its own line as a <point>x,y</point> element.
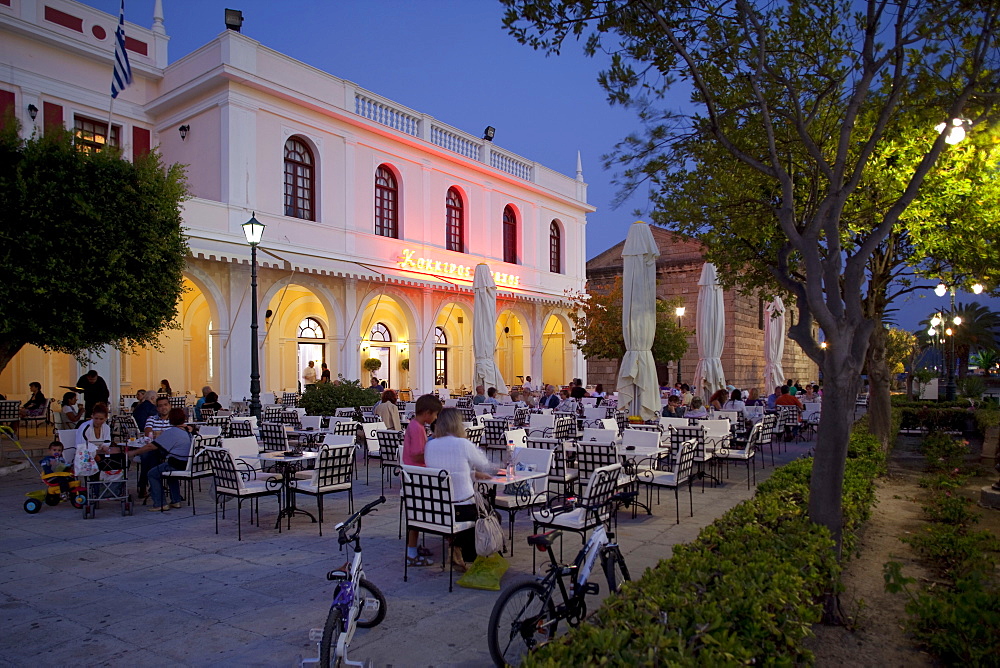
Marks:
<point>793,102</point>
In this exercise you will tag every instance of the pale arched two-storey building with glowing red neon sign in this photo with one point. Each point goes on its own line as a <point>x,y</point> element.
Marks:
<point>376,215</point>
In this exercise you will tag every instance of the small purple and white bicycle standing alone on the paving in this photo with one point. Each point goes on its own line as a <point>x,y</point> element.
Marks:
<point>356,601</point>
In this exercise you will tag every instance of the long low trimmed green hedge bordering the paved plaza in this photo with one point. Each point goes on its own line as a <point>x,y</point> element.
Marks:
<point>747,590</point>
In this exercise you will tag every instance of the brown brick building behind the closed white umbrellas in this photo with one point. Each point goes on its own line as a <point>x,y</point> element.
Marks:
<point>677,272</point>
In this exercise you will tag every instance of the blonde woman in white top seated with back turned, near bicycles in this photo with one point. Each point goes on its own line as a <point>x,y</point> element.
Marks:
<point>451,451</point>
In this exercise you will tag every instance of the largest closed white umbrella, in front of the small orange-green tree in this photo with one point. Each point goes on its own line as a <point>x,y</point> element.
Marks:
<point>637,383</point>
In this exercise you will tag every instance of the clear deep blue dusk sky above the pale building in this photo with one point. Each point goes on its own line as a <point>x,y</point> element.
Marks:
<point>453,60</point>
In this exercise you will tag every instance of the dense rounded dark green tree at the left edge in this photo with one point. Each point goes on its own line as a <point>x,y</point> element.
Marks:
<point>81,234</point>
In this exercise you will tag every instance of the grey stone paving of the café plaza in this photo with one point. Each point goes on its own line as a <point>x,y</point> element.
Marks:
<point>163,589</point>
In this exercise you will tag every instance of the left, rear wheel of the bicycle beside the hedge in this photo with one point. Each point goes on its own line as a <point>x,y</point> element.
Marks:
<point>522,619</point>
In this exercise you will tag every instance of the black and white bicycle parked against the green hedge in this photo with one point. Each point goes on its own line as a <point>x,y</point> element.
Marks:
<point>527,613</point>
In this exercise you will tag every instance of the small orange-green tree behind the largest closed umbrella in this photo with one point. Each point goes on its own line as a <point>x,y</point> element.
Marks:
<point>597,326</point>
